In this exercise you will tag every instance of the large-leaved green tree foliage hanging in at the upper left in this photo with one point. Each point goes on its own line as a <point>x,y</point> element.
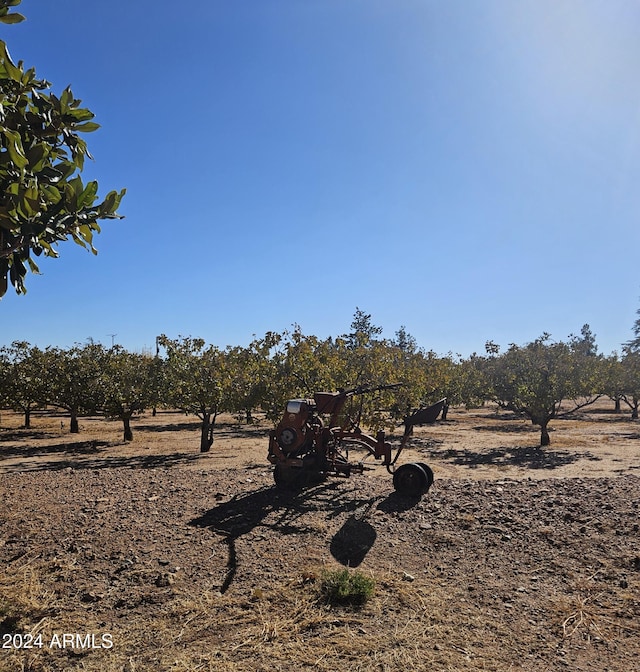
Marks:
<point>43,200</point>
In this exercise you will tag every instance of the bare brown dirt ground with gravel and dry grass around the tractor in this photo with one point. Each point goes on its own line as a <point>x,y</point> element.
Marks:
<point>152,556</point>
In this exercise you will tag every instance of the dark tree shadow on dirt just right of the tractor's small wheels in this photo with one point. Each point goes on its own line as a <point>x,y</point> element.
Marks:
<point>523,456</point>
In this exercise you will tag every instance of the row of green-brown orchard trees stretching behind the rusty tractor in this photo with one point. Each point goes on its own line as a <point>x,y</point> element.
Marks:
<point>542,380</point>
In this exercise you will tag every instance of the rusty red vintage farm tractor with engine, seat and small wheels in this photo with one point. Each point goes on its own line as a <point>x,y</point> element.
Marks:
<point>313,437</point>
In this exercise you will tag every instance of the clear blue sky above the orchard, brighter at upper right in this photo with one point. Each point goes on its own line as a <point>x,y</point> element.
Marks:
<point>467,169</point>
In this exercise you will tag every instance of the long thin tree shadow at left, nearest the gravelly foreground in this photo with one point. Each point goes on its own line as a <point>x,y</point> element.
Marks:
<point>111,462</point>
